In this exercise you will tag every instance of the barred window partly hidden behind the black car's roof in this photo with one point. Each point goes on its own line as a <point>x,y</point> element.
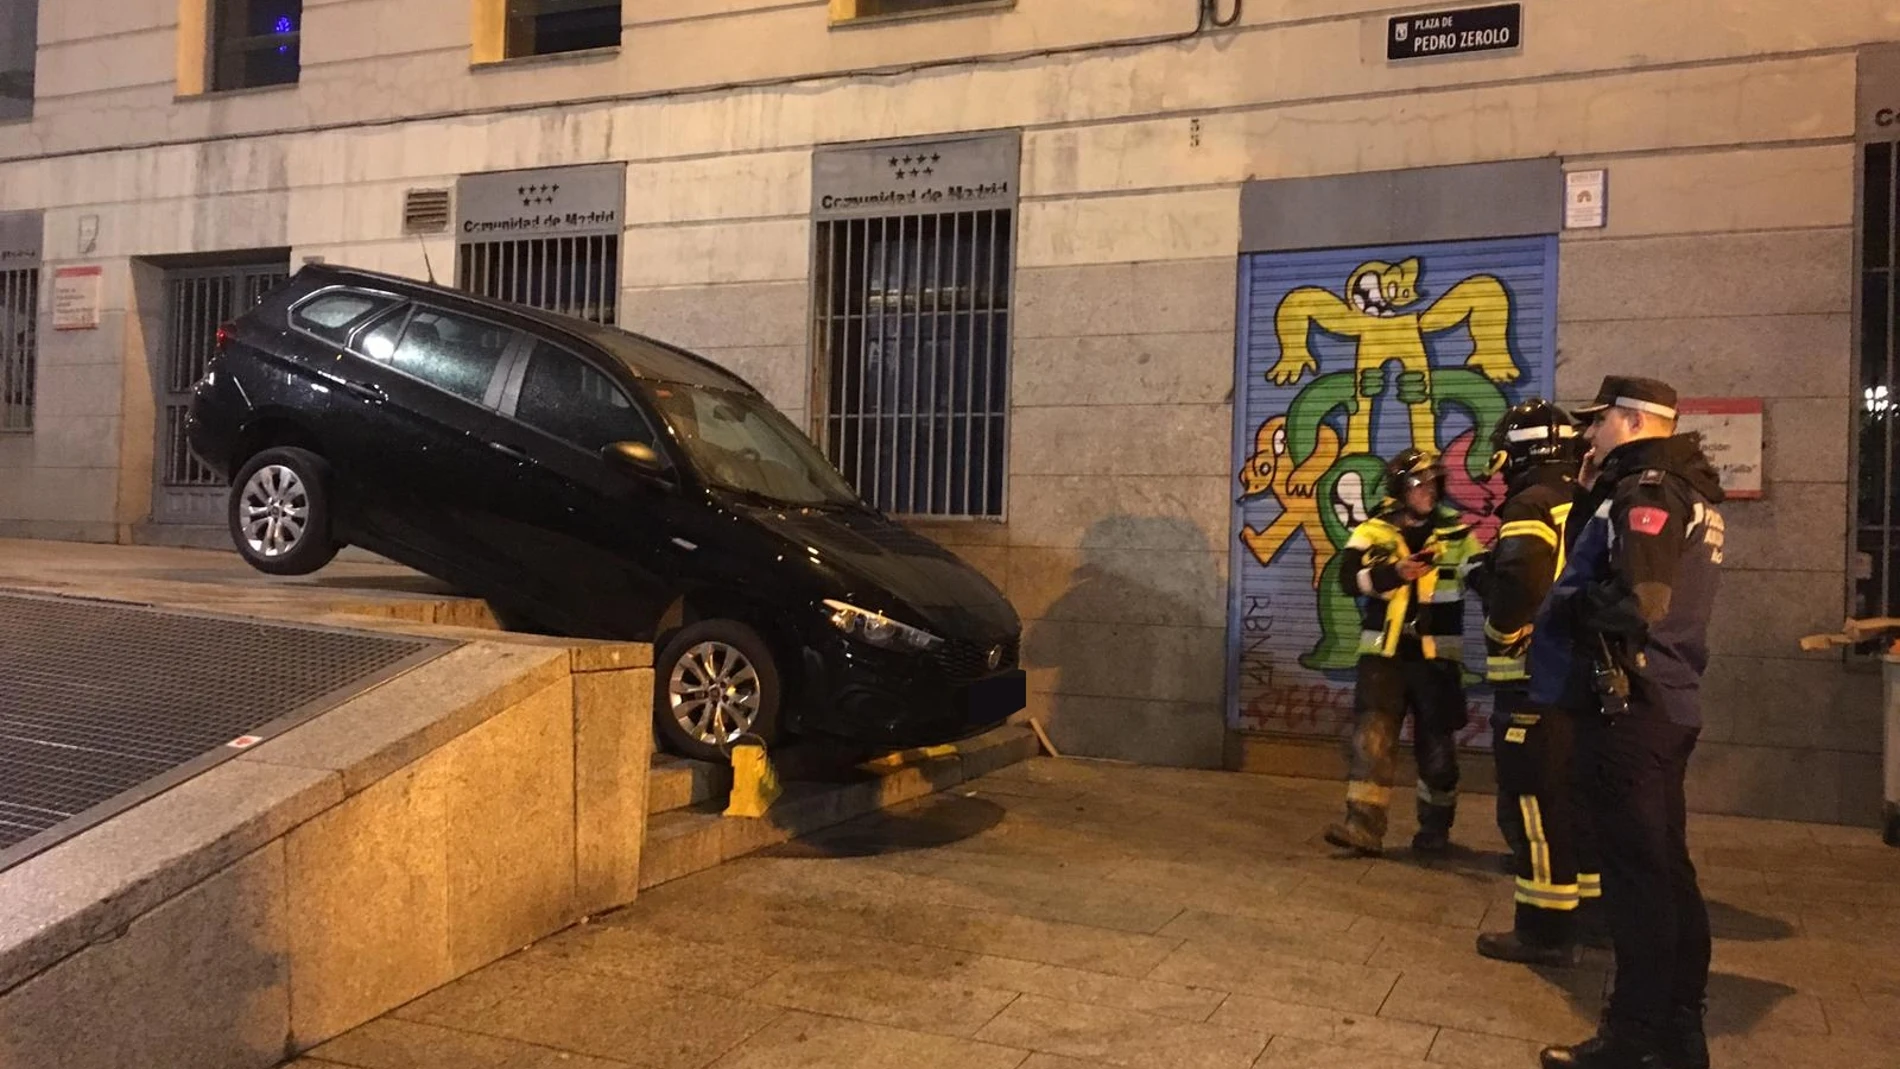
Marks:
<point>569,276</point>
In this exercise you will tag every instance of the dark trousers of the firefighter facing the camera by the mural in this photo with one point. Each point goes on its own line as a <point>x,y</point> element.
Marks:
<point>1388,690</point>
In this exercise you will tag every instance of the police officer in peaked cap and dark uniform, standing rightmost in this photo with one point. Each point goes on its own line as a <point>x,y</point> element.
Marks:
<point>1622,645</point>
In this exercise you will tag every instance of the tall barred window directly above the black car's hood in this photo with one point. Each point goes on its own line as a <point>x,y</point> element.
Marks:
<point>913,320</point>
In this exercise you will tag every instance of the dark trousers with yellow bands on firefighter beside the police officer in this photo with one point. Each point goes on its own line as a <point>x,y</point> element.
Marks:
<point>1544,819</point>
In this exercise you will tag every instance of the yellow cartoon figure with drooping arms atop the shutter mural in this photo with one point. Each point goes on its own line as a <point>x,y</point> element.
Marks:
<point>1378,312</point>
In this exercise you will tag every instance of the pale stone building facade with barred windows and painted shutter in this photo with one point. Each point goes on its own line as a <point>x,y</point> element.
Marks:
<point>1122,301</point>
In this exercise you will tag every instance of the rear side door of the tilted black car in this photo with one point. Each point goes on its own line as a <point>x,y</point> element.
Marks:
<point>411,419</point>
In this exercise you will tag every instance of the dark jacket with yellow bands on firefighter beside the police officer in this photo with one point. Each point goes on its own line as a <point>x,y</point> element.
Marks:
<point>1523,565</point>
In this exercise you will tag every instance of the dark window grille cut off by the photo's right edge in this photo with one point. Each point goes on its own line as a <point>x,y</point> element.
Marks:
<point>1876,508</point>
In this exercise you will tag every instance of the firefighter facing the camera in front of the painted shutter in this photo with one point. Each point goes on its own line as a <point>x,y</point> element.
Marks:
<point>1407,567</point>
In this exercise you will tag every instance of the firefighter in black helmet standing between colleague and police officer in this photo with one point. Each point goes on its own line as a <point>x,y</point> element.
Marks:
<point>1538,451</point>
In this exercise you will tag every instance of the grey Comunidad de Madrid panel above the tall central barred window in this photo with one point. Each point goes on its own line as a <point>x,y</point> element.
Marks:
<point>917,178</point>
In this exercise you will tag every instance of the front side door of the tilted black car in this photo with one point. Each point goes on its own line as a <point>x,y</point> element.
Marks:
<point>596,538</point>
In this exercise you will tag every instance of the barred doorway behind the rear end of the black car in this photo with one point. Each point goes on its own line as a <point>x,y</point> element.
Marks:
<point>197,305</point>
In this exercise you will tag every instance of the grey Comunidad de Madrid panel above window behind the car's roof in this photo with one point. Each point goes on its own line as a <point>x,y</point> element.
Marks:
<point>556,202</point>
